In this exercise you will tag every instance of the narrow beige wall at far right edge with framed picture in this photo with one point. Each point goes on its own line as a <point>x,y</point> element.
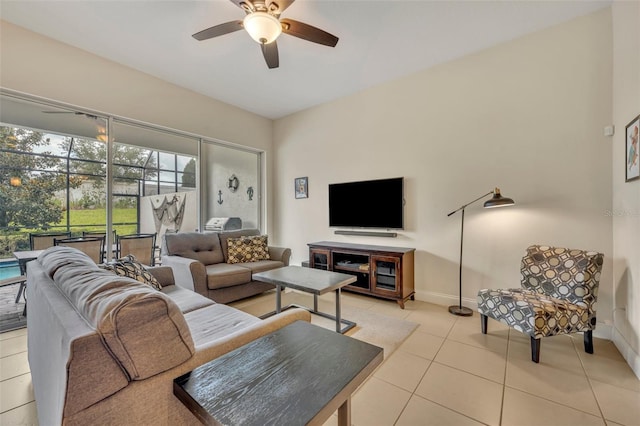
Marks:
<point>626,196</point>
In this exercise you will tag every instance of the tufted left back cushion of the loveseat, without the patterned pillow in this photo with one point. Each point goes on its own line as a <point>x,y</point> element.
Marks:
<point>204,248</point>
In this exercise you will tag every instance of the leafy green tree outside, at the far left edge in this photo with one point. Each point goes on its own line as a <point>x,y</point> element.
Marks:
<point>28,182</point>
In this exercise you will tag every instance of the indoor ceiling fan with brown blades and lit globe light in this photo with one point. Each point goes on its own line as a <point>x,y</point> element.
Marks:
<point>263,23</point>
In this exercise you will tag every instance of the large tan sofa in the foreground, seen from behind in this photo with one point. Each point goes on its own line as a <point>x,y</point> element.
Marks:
<point>104,349</point>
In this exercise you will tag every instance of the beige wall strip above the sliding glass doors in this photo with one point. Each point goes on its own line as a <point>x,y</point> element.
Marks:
<point>40,66</point>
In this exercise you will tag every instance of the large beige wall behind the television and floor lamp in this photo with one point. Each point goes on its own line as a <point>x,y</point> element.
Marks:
<point>526,116</point>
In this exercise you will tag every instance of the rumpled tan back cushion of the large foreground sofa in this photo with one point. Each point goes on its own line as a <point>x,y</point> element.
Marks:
<point>143,328</point>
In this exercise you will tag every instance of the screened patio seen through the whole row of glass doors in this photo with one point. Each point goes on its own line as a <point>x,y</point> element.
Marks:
<point>57,165</point>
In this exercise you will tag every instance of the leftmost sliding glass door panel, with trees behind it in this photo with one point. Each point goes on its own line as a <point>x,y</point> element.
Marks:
<point>52,173</point>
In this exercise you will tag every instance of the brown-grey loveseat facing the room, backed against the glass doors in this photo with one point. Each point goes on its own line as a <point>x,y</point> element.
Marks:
<point>199,262</point>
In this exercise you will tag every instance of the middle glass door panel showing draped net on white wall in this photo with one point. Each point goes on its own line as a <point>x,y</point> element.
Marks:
<point>156,170</point>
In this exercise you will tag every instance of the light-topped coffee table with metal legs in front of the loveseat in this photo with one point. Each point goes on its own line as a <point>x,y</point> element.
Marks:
<point>314,281</point>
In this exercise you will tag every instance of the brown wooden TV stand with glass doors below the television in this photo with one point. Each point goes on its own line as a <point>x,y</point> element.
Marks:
<point>386,272</point>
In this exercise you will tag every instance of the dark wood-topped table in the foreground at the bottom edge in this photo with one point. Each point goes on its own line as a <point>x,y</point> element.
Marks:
<point>298,375</point>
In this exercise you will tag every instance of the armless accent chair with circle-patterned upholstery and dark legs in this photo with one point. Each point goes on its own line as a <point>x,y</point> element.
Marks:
<point>558,294</point>
